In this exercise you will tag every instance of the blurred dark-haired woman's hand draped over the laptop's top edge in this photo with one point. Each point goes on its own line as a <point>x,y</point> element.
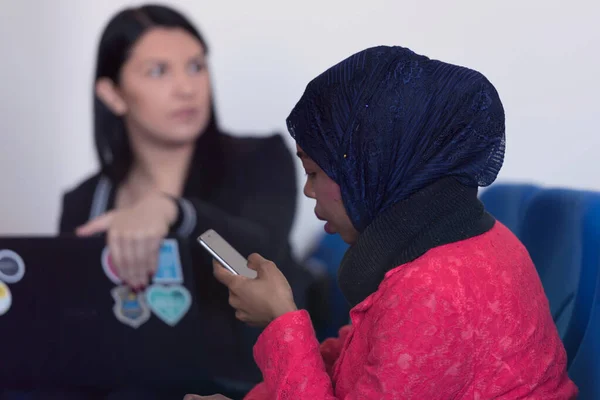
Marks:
<point>134,236</point>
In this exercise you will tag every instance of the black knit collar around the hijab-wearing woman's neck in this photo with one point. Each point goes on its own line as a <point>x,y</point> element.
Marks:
<point>442,213</point>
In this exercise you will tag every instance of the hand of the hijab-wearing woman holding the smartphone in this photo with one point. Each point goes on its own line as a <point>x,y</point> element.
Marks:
<point>257,301</point>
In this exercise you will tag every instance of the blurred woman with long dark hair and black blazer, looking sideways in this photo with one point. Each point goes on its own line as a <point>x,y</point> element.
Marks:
<point>167,169</point>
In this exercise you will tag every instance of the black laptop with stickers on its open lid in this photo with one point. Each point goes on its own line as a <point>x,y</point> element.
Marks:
<point>63,328</point>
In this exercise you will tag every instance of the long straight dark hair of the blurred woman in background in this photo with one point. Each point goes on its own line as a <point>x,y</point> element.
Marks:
<point>119,36</point>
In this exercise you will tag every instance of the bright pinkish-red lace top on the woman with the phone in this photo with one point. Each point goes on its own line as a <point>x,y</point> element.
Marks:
<point>468,320</point>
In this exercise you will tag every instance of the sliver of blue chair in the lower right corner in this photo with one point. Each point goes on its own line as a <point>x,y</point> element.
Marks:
<point>585,369</point>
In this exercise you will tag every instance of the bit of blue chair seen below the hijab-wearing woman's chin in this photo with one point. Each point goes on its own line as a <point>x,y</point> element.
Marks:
<point>327,257</point>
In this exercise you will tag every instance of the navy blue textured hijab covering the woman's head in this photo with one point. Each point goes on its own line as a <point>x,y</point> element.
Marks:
<point>387,122</point>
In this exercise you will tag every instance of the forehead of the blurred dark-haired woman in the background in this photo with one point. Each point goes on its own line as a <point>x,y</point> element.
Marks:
<point>165,44</point>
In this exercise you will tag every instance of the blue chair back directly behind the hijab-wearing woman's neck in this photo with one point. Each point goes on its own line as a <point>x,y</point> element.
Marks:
<point>508,203</point>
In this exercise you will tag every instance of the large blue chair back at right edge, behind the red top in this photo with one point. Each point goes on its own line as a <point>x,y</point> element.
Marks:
<point>561,231</point>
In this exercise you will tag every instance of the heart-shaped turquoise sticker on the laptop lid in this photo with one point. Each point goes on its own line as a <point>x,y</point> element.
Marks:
<point>169,303</point>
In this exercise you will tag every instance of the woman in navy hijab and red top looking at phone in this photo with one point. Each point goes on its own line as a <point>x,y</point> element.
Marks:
<point>446,301</point>
